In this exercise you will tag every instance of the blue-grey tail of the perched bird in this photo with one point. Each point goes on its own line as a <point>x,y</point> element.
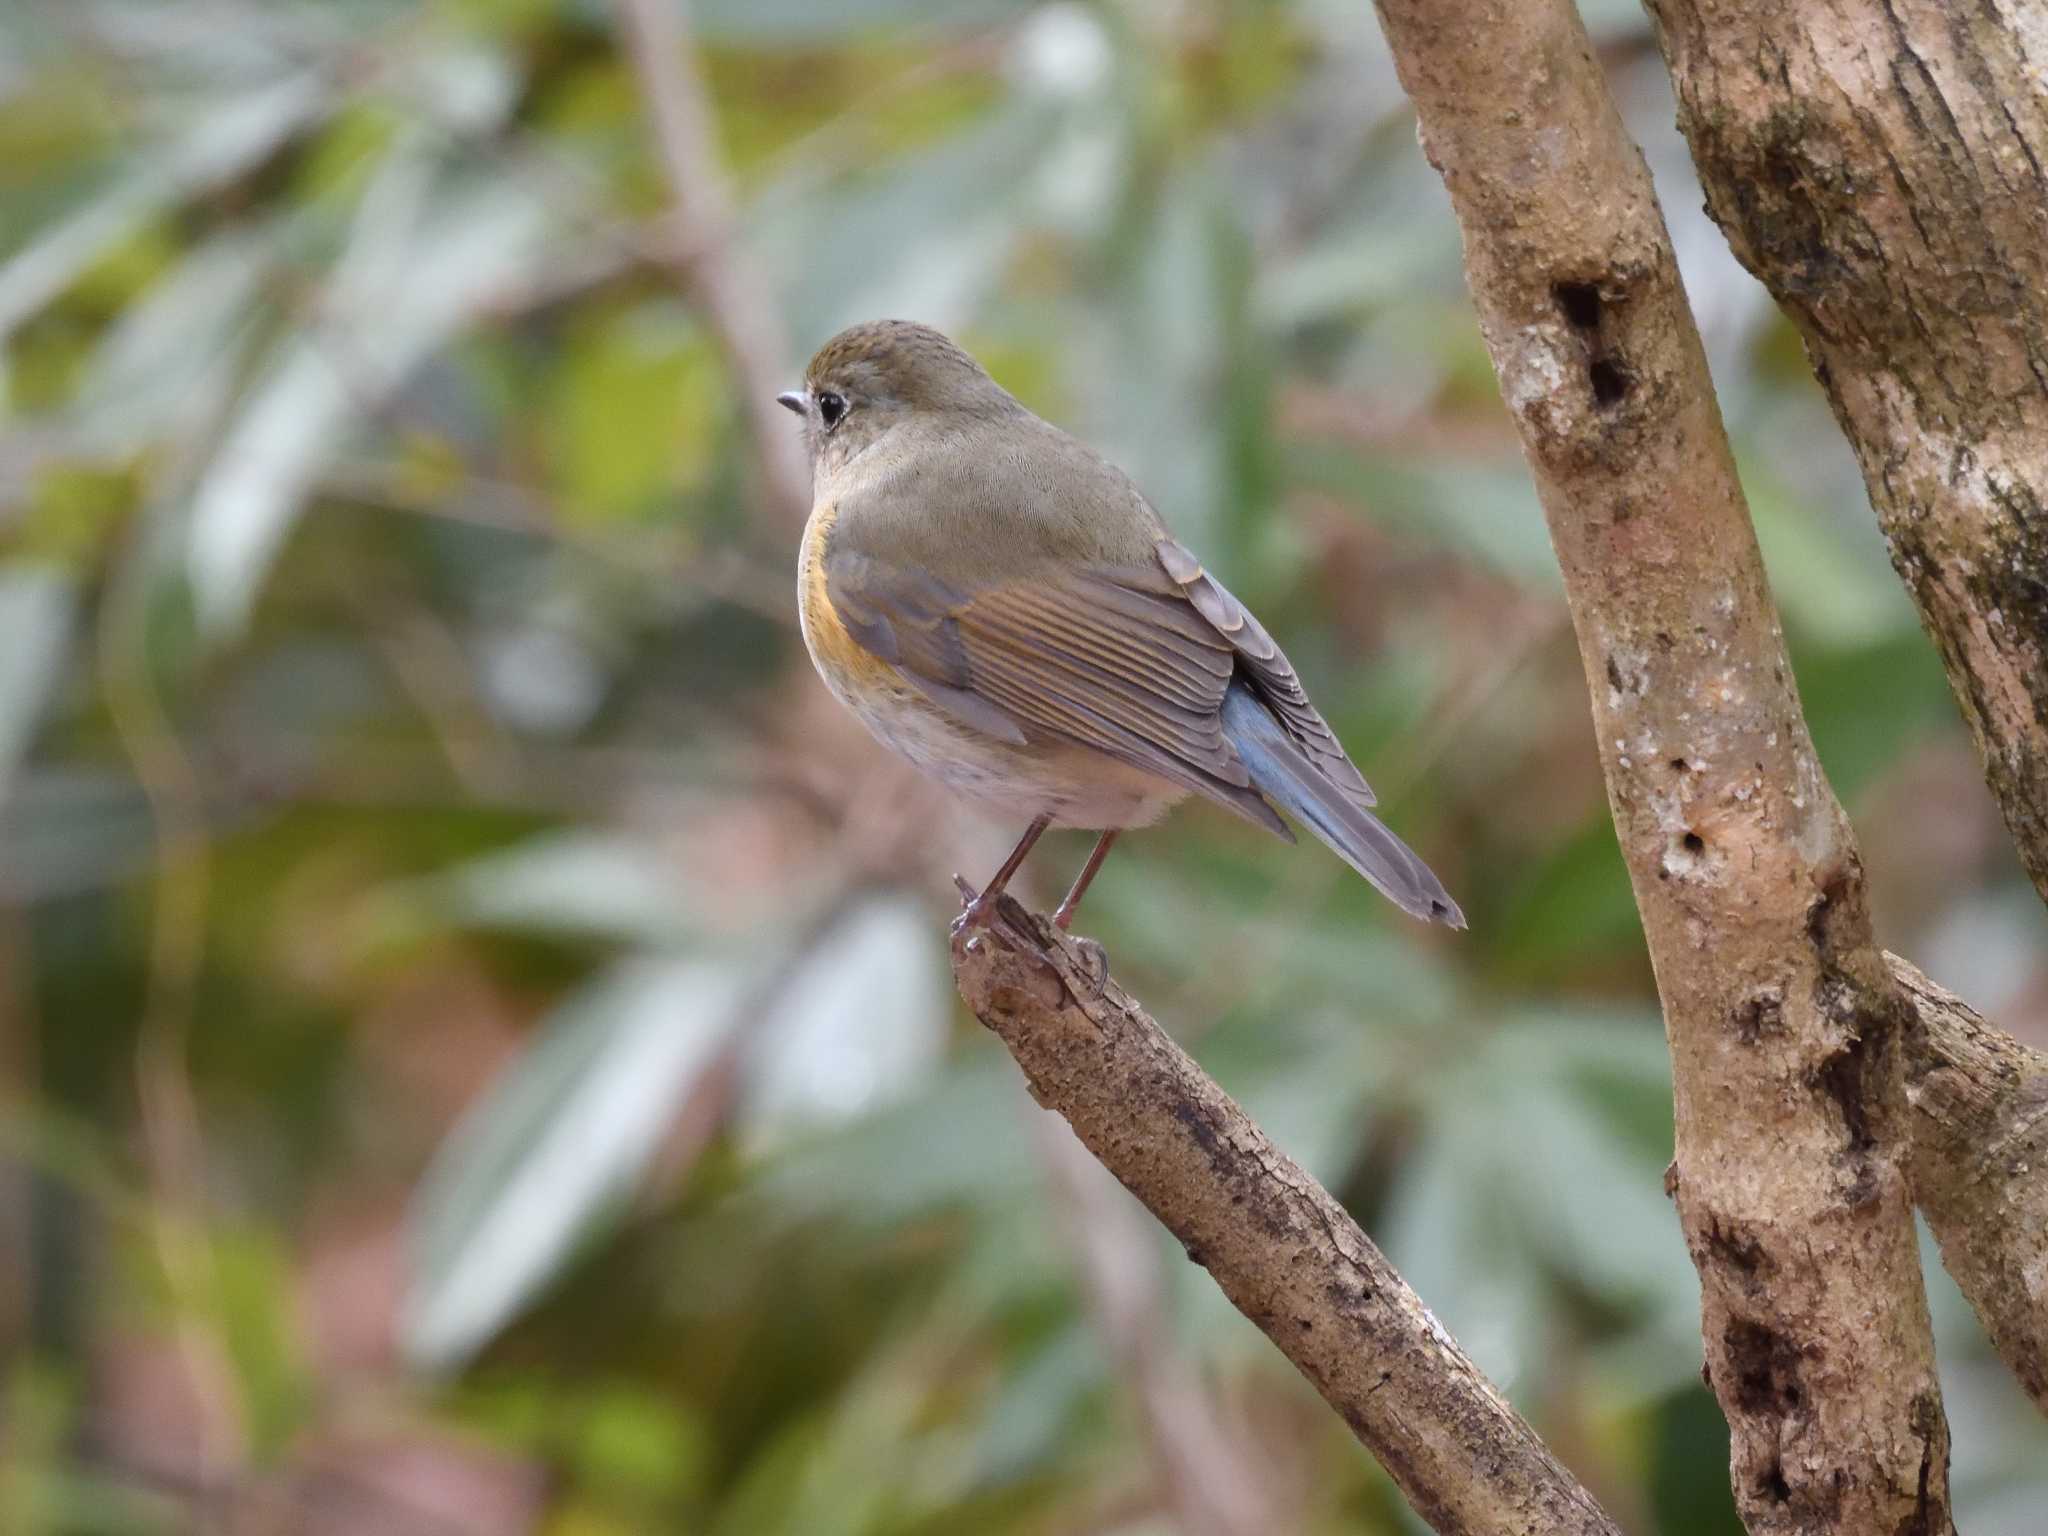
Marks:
<point>1285,775</point>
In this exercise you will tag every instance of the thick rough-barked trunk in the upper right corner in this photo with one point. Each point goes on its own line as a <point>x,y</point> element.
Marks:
<point>1879,165</point>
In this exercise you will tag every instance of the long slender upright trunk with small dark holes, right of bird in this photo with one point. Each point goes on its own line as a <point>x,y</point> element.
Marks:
<point>1785,1023</point>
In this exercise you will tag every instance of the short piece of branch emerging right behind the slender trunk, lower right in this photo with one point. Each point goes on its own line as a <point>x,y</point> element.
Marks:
<point>1979,1168</point>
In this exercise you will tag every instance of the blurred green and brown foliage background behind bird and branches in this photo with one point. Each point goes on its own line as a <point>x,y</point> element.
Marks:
<point>476,1041</point>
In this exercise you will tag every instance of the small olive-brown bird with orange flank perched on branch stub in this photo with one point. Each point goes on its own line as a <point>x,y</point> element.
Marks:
<point>1002,607</point>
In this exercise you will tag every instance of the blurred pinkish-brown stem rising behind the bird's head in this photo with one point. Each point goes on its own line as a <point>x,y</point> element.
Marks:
<point>734,304</point>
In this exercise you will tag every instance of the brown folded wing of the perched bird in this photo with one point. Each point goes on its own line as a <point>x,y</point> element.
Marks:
<point>1105,658</point>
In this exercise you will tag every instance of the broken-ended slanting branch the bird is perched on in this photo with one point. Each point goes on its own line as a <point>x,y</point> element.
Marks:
<point>1279,1246</point>
